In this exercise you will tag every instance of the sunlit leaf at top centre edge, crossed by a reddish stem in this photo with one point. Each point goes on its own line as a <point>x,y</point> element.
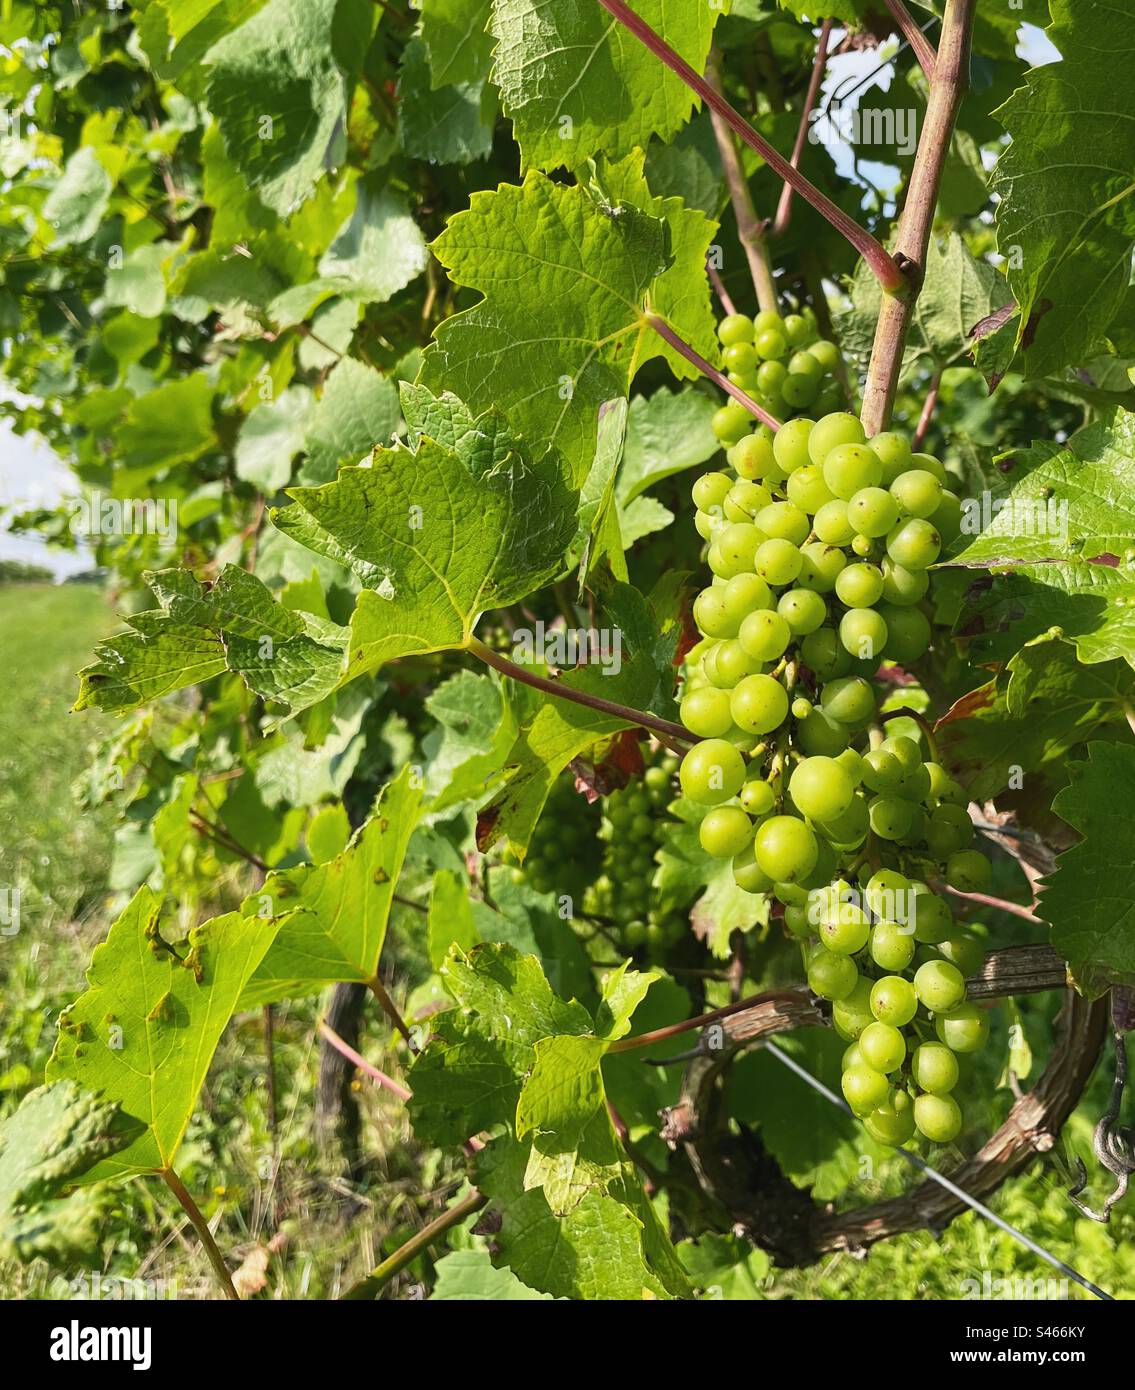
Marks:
<point>577,84</point>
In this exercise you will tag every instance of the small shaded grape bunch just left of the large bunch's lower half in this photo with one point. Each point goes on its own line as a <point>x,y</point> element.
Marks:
<point>624,892</point>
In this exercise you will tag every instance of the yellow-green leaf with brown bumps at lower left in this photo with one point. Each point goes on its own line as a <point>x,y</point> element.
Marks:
<point>145,1032</point>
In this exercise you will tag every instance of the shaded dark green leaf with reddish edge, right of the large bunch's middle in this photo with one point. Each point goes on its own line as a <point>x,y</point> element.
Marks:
<point>1043,707</point>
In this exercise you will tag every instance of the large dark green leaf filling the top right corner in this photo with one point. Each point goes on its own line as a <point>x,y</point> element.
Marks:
<point>1066,224</point>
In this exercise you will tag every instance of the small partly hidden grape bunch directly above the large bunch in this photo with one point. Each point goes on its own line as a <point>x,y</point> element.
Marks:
<point>781,363</point>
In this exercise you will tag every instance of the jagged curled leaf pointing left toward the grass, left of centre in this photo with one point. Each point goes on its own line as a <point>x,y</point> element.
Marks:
<point>204,630</point>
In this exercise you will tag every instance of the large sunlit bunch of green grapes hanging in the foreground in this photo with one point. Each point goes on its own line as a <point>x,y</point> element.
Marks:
<point>819,544</point>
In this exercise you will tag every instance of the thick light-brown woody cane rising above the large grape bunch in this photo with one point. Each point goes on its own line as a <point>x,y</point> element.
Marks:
<point>948,87</point>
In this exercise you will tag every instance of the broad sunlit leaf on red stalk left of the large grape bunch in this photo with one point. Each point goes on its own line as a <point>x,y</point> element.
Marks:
<point>437,537</point>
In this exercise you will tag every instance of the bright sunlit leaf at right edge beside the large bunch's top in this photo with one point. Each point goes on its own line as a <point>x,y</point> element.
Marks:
<point>1062,540</point>
